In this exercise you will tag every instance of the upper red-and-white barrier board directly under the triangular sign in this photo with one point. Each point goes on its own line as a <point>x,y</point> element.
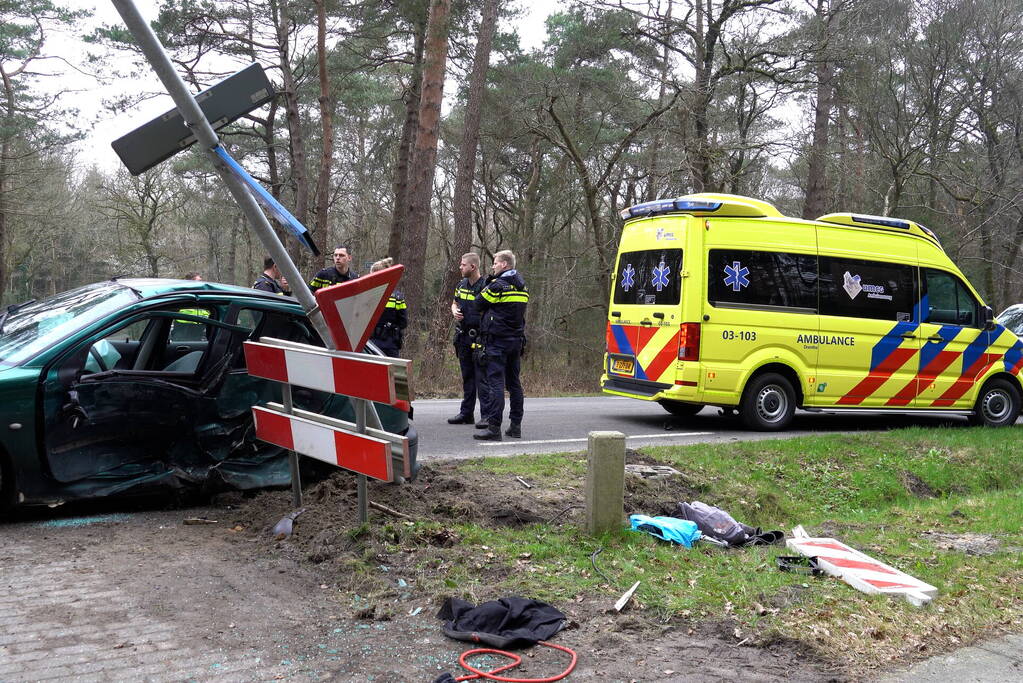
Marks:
<point>352,375</point>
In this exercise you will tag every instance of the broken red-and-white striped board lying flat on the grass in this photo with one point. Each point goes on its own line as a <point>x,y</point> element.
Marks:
<point>860,571</point>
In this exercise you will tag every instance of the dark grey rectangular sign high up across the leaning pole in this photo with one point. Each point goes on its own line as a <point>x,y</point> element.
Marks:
<point>166,135</point>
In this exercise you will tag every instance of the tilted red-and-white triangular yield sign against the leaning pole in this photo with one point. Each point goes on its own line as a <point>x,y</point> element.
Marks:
<point>352,309</point>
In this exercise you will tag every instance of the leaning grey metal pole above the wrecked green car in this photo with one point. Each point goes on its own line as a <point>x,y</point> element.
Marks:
<point>207,139</point>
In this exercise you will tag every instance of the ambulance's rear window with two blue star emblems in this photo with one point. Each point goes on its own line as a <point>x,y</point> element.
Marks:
<point>650,278</point>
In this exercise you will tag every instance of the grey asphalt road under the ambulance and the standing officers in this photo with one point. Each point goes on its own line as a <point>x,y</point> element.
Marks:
<point>562,425</point>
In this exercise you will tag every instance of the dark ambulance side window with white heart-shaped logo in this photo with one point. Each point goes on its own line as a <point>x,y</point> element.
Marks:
<point>868,290</point>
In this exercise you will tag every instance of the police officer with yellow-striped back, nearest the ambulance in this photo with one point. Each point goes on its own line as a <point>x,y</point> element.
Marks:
<point>503,327</point>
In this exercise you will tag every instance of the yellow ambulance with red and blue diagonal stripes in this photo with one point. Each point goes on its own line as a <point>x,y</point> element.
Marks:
<point>721,300</point>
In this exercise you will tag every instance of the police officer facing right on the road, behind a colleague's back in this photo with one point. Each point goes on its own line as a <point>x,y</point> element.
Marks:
<point>467,340</point>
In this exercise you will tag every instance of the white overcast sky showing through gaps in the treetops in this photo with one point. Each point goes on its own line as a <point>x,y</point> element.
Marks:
<point>97,150</point>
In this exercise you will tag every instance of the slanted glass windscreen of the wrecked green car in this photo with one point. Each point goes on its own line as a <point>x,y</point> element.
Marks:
<point>37,327</point>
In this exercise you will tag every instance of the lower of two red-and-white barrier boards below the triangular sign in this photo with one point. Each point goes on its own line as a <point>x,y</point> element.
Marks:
<point>358,452</point>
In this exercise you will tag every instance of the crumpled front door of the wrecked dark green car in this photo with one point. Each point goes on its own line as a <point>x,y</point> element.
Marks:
<point>128,404</point>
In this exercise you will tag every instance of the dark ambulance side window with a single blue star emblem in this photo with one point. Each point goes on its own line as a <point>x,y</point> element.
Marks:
<point>742,279</point>
